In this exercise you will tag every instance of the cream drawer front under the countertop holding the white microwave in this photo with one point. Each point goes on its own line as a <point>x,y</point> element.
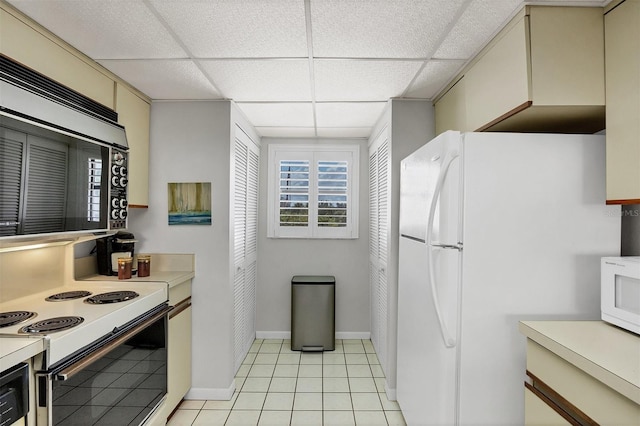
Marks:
<point>592,397</point>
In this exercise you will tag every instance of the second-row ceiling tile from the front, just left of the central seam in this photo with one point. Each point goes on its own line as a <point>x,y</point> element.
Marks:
<point>261,80</point>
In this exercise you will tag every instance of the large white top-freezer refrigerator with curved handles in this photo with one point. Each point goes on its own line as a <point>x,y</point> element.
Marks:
<point>495,228</point>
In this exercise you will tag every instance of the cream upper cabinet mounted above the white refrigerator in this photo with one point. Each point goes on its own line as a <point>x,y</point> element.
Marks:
<point>543,72</point>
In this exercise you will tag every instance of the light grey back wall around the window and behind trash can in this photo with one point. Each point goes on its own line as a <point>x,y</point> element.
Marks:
<point>280,259</point>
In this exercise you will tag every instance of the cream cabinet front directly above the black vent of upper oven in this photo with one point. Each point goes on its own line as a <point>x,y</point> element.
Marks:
<point>25,42</point>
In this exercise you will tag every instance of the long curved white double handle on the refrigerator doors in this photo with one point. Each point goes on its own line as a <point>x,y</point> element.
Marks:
<point>447,338</point>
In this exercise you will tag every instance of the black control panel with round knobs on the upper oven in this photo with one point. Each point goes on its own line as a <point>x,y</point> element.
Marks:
<point>118,180</point>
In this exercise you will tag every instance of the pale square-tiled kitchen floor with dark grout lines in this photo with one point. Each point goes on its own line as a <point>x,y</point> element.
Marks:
<point>278,386</point>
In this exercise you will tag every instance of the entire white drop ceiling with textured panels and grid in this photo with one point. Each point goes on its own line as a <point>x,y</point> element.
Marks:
<point>296,68</point>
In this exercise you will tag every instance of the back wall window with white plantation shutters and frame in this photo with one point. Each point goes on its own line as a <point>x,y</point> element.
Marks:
<point>313,191</point>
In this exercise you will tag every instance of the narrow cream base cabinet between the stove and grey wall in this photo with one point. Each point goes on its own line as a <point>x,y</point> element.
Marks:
<point>179,346</point>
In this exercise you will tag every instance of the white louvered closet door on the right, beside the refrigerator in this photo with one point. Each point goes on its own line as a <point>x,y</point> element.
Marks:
<point>379,199</point>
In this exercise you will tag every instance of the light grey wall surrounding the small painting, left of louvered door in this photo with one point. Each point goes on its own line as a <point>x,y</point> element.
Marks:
<point>190,142</point>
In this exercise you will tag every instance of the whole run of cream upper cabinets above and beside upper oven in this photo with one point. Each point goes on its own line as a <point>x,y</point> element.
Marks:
<point>26,42</point>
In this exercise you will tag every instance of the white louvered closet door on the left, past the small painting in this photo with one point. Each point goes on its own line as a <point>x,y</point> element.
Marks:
<point>245,224</point>
